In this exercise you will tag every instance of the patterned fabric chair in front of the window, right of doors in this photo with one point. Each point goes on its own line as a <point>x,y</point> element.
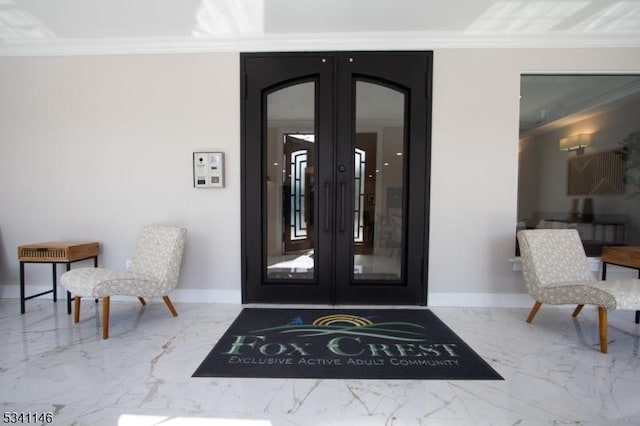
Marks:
<point>556,271</point>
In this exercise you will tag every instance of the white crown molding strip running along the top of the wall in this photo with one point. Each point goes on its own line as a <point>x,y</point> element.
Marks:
<point>314,42</point>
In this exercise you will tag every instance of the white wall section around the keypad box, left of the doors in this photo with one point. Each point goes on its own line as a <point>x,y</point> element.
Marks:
<point>95,147</point>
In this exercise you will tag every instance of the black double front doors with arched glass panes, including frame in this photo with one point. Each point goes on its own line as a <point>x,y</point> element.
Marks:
<point>335,177</point>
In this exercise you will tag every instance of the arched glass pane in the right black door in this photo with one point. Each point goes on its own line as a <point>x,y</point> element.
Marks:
<point>378,227</point>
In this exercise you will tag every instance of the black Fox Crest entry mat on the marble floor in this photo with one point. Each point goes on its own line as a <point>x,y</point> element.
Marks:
<point>343,344</point>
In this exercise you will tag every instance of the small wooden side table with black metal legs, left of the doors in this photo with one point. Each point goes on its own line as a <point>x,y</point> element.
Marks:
<point>55,252</point>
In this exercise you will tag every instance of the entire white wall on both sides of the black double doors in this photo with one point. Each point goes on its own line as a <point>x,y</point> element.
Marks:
<point>94,147</point>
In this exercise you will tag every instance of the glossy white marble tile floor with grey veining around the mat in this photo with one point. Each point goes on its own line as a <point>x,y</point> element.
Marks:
<point>554,373</point>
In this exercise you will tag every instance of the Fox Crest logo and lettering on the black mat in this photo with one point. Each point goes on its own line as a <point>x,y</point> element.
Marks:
<point>340,339</point>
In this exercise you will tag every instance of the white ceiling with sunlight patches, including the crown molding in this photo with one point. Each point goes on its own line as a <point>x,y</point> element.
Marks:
<point>41,27</point>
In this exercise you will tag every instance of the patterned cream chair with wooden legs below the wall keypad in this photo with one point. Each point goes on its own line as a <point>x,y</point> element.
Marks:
<point>154,271</point>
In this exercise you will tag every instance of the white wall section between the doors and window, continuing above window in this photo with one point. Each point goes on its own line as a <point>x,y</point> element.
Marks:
<point>475,160</point>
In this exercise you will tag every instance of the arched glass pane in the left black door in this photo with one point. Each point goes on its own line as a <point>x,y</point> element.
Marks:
<point>290,182</point>
